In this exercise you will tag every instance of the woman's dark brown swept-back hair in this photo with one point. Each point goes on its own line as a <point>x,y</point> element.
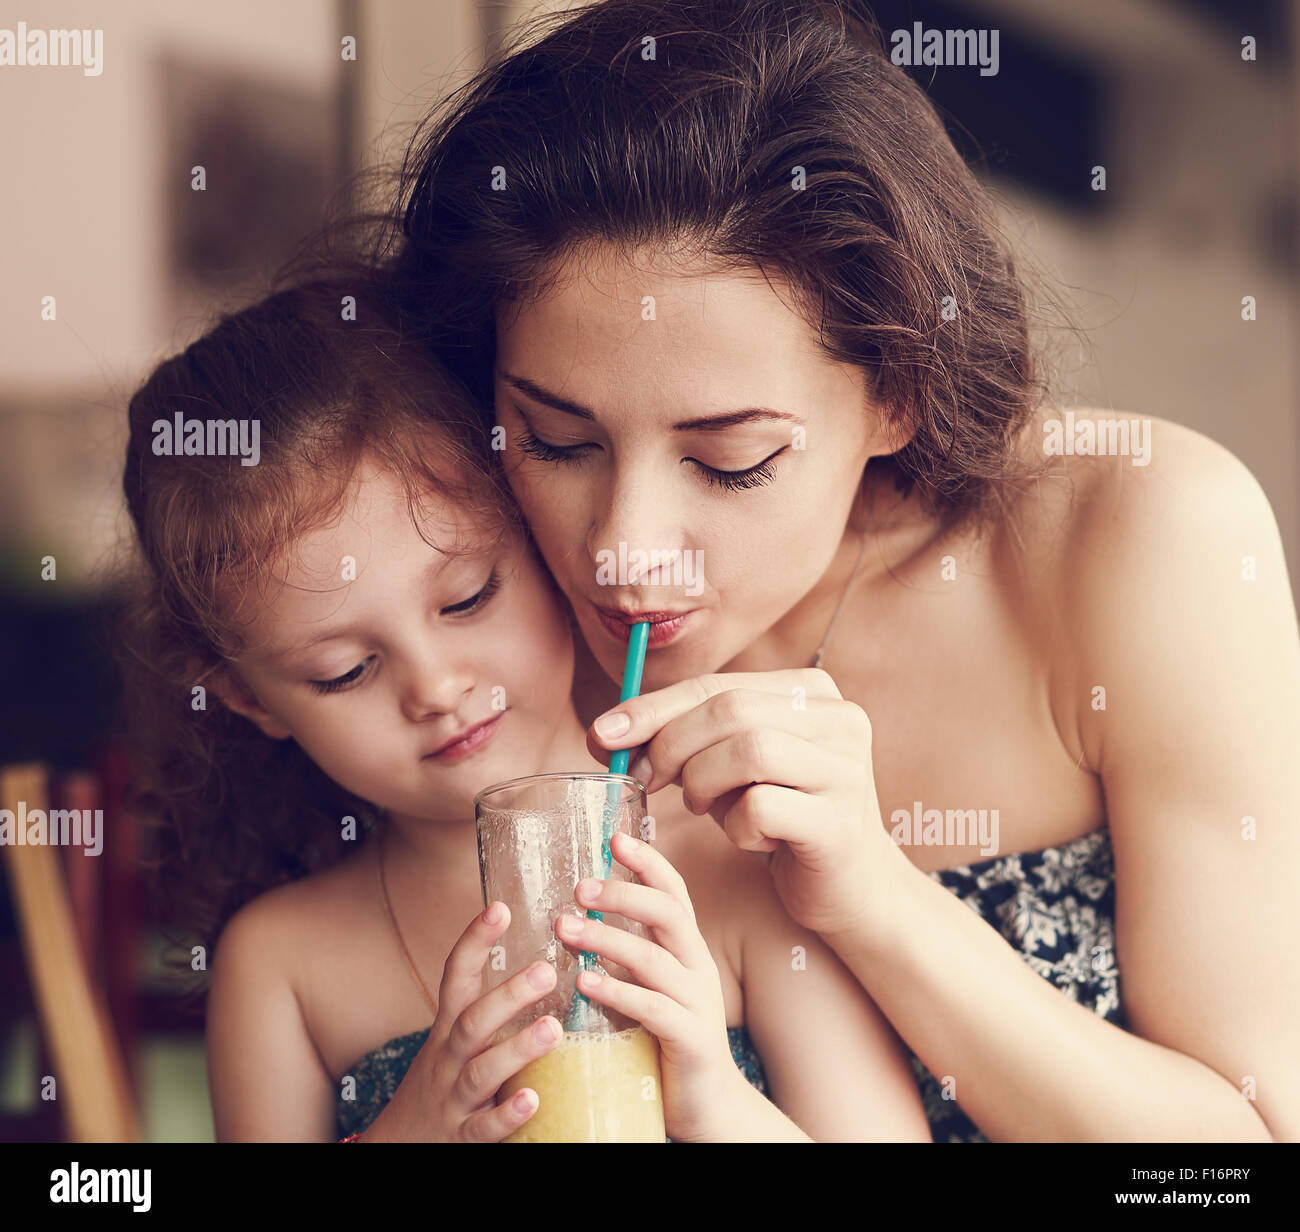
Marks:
<point>753,135</point>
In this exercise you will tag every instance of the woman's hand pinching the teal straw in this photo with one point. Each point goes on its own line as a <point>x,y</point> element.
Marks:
<point>783,764</point>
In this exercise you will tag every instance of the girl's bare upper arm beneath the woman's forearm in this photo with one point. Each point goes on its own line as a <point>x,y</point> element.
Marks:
<point>834,1064</point>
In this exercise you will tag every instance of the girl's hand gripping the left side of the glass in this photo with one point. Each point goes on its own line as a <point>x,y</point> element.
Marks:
<point>449,1094</point>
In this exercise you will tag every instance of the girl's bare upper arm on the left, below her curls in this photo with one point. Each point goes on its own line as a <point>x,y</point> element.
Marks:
<point>266,1077</point>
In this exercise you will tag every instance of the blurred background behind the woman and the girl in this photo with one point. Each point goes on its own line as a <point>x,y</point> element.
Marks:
<point>1197,131</point>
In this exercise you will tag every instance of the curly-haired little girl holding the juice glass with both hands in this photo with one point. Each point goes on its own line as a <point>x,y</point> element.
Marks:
<point>322,641</point>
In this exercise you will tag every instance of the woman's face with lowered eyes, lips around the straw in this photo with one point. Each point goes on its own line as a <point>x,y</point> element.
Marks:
<point>694,419</point>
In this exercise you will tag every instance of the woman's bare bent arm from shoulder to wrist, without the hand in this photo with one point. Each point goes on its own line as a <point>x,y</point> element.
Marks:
<point>1198,652</point>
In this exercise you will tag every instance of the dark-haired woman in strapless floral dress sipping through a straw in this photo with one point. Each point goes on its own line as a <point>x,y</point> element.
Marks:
<point>742,310</point>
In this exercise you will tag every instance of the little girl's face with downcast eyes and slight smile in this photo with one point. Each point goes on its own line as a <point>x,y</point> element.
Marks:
<point>379,652</point>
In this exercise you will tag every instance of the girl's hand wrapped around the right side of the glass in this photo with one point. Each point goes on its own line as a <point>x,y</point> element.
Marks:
<point>678,995</point>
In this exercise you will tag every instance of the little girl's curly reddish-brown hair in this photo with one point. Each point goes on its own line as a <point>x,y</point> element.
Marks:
<point>331,376</point>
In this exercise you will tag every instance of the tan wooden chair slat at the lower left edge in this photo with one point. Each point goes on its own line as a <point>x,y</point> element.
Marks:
<point>93,1090</point>
